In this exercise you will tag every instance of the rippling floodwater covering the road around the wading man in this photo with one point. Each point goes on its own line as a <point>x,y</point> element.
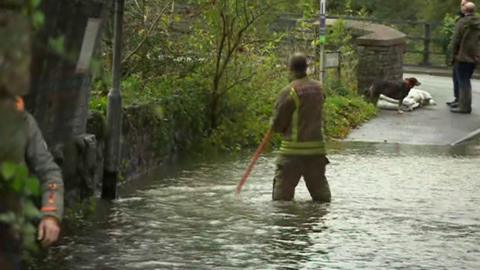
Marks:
<point>394,207</point>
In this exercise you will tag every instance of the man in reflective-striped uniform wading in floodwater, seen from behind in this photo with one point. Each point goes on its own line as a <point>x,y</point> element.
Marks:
<point>299,118</point>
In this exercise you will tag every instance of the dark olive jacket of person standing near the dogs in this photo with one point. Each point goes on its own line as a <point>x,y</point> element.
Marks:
<point>466,40</point>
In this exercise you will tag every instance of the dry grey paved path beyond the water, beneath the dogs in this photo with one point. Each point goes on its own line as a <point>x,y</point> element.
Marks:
<point>431,125</point>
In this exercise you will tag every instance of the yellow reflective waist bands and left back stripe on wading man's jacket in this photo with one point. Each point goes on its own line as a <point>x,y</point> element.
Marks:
<point>294,146</point>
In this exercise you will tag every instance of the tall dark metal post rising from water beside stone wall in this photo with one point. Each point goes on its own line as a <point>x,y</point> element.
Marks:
<point>114,112</point>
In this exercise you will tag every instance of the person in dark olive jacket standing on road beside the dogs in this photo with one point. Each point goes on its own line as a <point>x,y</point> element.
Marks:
<point>466,55</point>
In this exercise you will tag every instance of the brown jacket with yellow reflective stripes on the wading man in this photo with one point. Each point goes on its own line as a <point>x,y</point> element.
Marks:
<point>298,117</point>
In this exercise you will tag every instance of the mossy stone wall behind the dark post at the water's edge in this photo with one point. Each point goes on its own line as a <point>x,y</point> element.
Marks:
<point>147,141</point>
